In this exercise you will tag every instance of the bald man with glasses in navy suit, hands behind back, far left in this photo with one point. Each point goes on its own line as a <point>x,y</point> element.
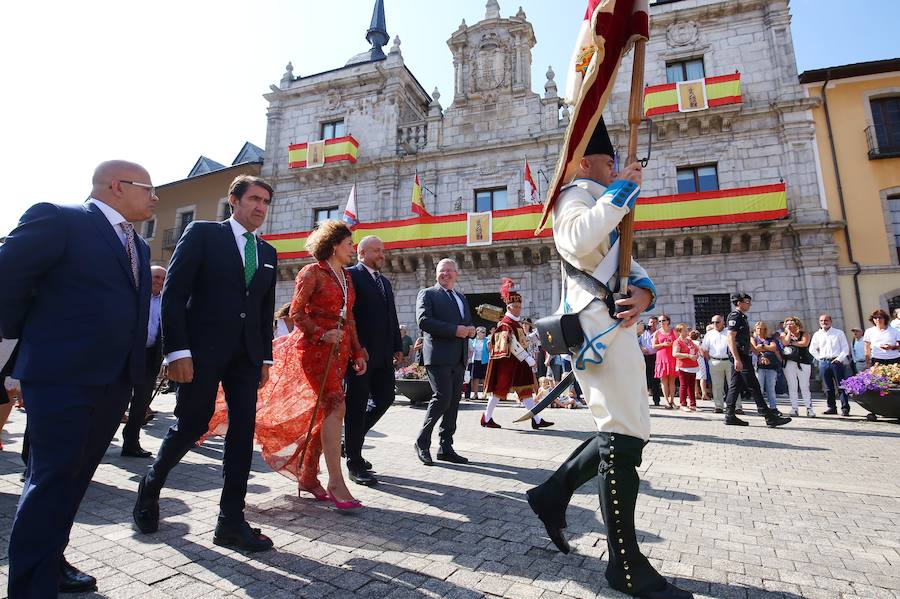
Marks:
<point>76,288</point>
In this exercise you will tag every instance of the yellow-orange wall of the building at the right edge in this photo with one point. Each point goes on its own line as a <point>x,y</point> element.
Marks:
<point>864,182</point>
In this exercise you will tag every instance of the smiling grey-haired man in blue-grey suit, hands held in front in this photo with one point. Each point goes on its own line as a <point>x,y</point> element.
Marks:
<point>446,322</point>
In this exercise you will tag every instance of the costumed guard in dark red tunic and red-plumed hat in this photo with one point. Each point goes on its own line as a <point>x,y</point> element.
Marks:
<point>510,367</point>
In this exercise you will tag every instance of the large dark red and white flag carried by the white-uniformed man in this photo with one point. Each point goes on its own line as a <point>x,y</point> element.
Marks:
<point>609,29</point>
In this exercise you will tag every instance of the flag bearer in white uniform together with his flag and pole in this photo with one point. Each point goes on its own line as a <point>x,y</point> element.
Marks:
<point>588,200</point>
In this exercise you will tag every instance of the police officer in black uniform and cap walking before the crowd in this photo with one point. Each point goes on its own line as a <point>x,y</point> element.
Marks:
<point>742,376</point>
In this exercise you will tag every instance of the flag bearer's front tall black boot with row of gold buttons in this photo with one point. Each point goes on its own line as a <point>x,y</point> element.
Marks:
<point>627,570</point>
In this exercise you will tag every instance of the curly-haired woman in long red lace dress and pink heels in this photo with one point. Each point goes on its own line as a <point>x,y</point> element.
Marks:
<point>319,348</point>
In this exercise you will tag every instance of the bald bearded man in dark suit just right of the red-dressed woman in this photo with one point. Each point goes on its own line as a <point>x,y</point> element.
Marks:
<point>379,332</point>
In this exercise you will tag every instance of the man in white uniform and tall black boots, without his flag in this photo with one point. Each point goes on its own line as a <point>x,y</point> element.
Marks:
<point>609,368</point>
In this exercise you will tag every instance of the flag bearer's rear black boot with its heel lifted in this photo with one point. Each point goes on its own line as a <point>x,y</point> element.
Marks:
<point>550,499</point>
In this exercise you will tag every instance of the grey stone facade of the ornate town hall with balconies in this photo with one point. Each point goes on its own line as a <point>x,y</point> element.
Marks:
<point>470,155</point>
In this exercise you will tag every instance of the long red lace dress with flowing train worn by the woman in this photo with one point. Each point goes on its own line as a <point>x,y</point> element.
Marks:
<point>286,403</point>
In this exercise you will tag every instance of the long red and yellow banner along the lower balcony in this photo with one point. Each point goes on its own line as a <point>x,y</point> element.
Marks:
<point>766,202</point>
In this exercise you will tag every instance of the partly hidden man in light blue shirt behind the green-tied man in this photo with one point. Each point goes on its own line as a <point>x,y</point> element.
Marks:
<point>142,393</point>
